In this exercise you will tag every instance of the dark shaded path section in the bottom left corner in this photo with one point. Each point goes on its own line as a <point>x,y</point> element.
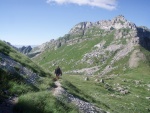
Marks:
<point>7,105</point>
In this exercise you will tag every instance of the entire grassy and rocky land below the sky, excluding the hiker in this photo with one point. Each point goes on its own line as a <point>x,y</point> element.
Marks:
<point>105,68</point>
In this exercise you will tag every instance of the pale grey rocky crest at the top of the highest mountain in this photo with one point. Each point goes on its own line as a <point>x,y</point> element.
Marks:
<point>116,23</point>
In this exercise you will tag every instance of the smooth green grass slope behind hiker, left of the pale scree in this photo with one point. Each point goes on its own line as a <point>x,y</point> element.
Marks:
<point>69,54</point>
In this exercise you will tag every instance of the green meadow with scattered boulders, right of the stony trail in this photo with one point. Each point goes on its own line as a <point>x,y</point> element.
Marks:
<point>110,99</point>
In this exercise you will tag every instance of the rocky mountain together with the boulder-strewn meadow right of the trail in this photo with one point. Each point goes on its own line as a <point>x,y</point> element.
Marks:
<point>111,61</point>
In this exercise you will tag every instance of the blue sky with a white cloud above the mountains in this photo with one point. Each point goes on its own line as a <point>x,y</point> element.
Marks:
<point>33,22</point>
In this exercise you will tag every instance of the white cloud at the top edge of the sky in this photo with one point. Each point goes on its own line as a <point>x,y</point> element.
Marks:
<point>106,4</point>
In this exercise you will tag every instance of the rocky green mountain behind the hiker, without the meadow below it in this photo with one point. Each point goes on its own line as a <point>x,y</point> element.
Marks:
<point>94,46</point>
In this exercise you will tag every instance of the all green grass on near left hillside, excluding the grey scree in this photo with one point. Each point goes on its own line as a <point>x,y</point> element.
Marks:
<point>31,98</point>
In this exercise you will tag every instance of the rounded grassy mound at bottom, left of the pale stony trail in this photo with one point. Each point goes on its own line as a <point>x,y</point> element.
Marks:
<point>42,102</point>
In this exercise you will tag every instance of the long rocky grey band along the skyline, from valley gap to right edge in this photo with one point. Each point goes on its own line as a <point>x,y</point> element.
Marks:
<point>80,29</point>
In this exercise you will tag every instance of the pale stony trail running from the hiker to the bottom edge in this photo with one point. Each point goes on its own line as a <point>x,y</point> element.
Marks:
<point>83,107</point>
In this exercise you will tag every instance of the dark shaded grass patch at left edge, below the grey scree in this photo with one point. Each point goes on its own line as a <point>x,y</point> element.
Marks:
<point>13,84</point>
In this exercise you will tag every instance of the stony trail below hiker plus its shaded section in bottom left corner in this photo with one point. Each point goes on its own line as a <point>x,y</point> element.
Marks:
<point>61,94</point>
